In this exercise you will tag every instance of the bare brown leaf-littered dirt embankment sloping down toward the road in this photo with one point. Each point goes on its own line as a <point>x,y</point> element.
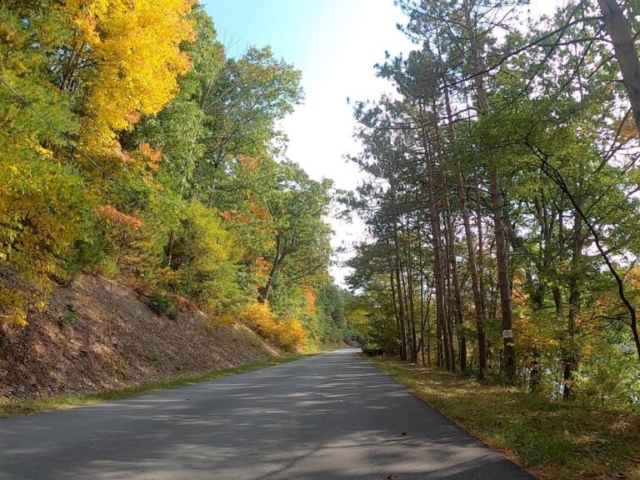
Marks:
<point>96,334</point>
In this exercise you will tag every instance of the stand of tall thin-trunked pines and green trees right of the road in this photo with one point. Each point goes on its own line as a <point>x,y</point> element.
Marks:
<point>501,197</point>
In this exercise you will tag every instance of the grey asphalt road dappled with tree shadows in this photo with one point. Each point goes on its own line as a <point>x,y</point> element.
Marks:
<point>326,417</point>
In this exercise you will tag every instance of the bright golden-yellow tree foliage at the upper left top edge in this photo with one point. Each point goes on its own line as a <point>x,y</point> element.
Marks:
<point>128,57</point>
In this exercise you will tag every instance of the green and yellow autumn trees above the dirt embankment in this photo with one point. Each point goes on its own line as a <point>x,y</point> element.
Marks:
<point>134,147</point>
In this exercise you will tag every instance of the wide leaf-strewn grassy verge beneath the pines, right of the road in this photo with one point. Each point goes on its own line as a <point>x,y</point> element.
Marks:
<point>552,440</point>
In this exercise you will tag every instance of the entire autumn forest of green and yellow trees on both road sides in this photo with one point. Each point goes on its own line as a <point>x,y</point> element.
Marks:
<point>500,194</point>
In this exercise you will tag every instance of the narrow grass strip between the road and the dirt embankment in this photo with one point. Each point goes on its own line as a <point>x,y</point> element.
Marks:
<point>27,406</point>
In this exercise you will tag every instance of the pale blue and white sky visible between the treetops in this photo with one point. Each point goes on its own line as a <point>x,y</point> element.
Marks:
<point>335,43</point>
